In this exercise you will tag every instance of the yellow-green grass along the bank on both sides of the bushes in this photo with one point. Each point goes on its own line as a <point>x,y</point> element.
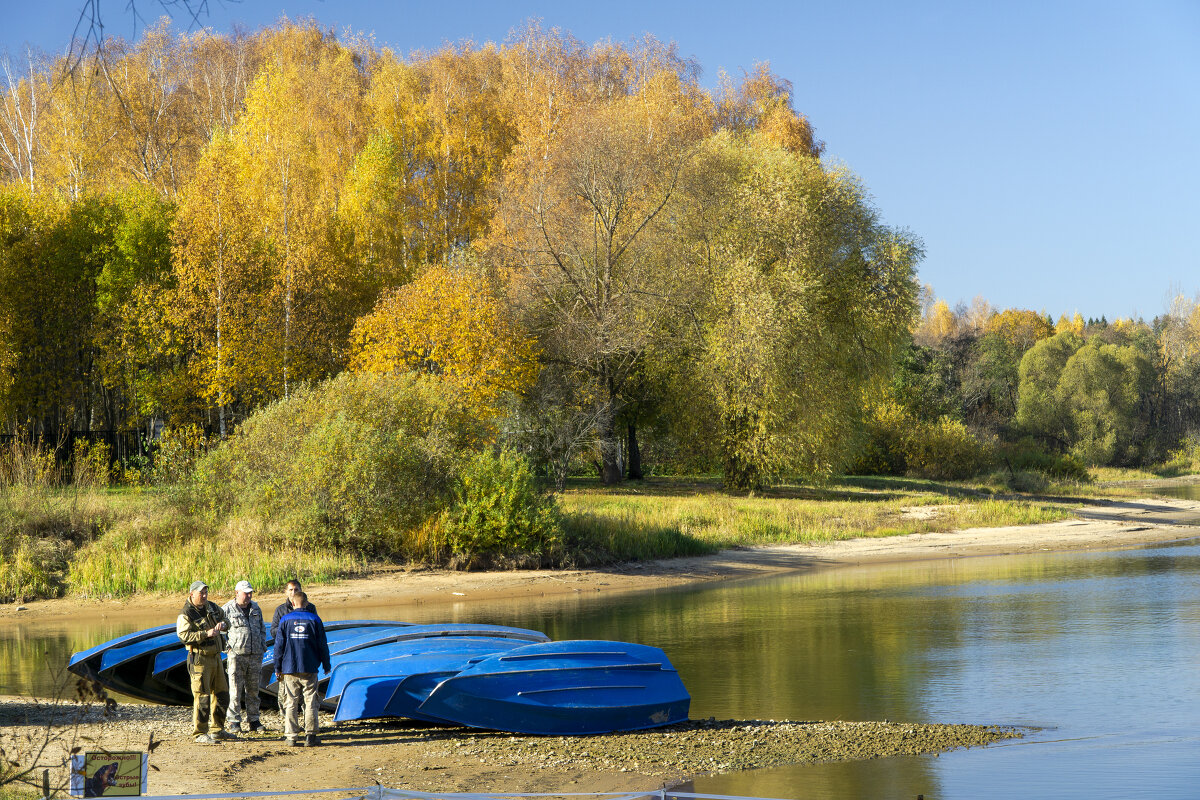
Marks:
<point>110,543</point>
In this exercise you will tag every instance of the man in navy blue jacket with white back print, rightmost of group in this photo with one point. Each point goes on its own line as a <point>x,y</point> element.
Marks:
<point>301,648</point>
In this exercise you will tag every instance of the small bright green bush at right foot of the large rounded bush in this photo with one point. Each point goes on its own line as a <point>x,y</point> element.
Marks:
<point>500,518</point>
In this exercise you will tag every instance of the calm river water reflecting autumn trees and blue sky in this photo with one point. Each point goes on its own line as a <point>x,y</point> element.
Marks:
<point>1099,652</point>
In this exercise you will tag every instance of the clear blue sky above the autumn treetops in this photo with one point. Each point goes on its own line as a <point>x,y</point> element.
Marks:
<point>1048,154</point>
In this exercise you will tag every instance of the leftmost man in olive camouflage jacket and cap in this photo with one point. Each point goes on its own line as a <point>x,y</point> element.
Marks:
<point>201,627</point>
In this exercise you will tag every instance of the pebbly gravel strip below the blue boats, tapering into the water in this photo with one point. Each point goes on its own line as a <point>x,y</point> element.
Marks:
<point>674,754</point>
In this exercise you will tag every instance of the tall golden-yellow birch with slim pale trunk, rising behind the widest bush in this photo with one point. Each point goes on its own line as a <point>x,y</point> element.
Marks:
<point>293,149</point>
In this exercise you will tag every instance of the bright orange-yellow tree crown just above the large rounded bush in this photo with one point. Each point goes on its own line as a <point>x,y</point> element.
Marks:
<point>448,323</point>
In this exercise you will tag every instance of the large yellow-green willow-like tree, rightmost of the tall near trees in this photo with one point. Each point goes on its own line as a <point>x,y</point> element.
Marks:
<point>811,297</point>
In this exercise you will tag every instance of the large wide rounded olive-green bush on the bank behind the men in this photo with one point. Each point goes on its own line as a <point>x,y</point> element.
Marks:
<point>356,464</point>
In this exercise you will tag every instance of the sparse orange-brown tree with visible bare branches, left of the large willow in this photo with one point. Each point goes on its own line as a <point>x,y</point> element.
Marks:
<point>585,224</point>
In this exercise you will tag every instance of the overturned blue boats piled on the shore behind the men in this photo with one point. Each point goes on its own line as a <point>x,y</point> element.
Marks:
<point>489,677</point>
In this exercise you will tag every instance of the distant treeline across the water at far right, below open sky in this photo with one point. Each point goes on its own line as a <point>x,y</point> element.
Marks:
<point>1025,388</point>
